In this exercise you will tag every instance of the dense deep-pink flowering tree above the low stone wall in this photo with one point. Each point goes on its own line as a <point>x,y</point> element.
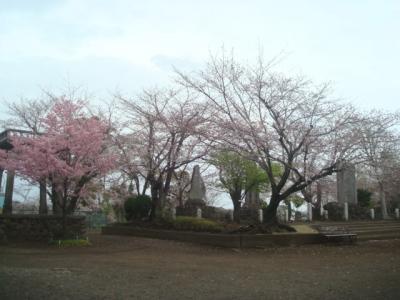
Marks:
<point>69,152</point>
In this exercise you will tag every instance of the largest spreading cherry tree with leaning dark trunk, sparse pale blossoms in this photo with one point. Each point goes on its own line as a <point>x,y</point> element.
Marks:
<point>273,119</point>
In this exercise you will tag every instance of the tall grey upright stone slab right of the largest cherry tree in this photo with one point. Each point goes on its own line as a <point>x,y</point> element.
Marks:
<point>346,184</point>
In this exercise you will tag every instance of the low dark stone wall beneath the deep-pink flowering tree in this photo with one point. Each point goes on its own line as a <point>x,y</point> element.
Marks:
<point>39,227</point>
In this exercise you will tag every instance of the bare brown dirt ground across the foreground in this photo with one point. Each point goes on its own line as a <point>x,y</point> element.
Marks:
<point>138,268</point>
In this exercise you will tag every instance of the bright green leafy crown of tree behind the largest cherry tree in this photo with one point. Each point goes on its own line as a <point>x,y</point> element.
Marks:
<point>239,174</point>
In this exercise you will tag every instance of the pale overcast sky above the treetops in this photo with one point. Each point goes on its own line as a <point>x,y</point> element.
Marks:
<point>104,46</point>
